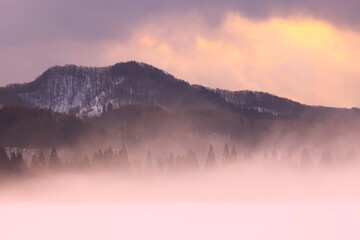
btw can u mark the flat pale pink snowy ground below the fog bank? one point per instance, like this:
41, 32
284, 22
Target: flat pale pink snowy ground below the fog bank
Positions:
180, 221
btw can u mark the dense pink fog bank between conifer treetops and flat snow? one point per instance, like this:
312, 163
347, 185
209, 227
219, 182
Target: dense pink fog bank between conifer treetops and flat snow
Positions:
236, 182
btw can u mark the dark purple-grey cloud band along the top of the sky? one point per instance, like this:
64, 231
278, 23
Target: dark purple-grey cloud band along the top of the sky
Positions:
23, 21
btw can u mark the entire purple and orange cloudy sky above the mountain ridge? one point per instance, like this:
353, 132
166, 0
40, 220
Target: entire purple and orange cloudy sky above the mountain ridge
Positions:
305, 50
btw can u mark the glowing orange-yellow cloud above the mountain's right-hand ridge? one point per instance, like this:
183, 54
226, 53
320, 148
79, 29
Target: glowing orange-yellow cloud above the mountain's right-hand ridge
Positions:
304, 59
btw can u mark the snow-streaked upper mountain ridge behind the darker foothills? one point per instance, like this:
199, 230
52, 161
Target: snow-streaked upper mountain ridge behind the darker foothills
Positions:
91, 91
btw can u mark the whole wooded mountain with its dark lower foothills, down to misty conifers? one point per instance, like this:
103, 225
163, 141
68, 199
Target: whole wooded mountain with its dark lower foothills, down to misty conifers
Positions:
134, 101
